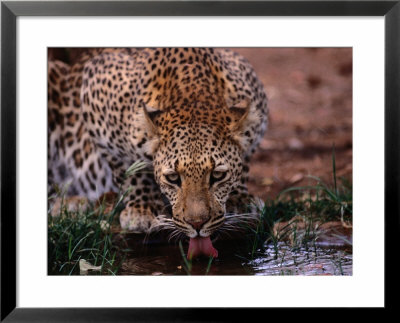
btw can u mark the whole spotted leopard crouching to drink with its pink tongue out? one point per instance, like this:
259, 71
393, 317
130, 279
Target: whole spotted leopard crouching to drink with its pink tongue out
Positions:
194, 116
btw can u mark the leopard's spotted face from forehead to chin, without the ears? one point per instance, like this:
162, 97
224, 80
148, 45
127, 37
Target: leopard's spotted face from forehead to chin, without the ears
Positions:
197, 167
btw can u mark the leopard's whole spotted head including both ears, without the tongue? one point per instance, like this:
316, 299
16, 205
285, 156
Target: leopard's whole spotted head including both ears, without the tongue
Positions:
197, 158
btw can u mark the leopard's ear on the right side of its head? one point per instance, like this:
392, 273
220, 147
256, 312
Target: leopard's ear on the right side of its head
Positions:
240, 113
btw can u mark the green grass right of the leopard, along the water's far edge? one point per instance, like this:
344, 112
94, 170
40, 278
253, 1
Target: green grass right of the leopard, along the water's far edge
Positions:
314, 204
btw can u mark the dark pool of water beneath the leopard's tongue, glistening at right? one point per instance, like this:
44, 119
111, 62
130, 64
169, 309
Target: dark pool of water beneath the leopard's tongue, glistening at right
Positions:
333, 257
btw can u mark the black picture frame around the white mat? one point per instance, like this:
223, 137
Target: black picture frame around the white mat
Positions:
10, 10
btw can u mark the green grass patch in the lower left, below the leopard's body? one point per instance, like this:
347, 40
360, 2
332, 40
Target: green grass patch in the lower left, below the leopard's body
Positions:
73, 236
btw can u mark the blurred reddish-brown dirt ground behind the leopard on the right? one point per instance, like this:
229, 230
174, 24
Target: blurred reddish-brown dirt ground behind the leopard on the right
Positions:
310, 103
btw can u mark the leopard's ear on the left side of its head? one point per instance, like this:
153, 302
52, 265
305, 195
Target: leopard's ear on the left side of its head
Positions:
153, 135
